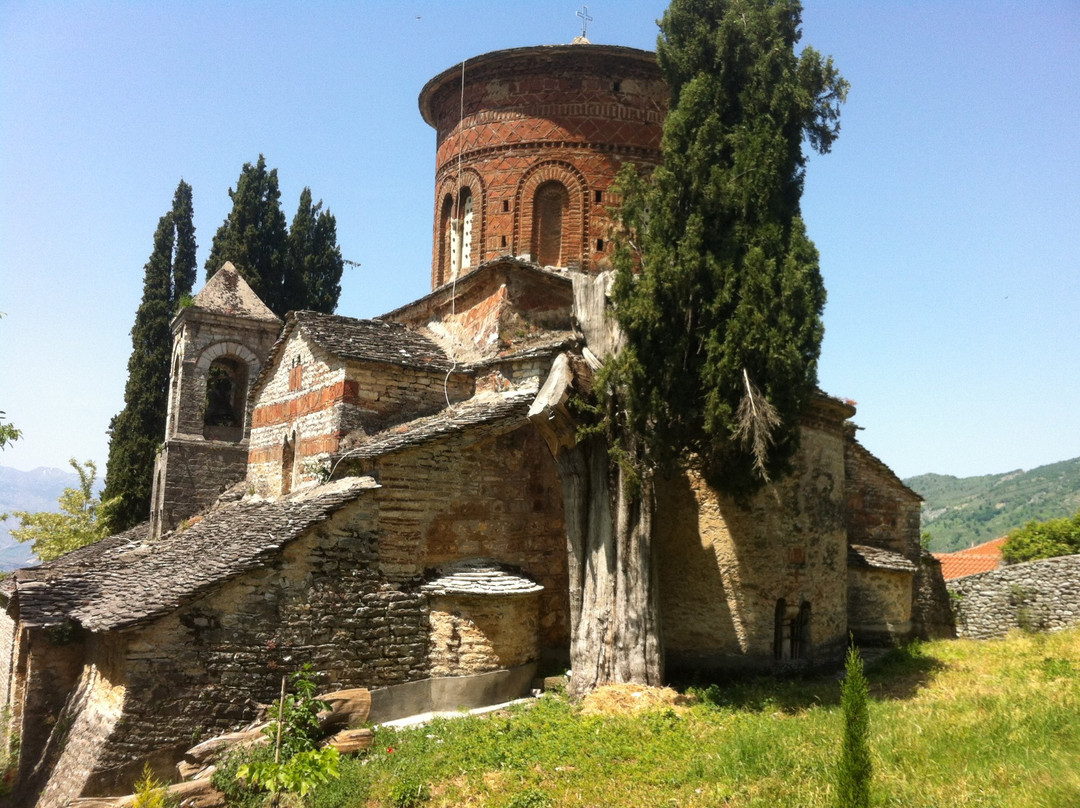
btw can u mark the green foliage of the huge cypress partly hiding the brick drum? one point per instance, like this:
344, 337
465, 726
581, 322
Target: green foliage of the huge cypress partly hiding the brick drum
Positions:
719, 290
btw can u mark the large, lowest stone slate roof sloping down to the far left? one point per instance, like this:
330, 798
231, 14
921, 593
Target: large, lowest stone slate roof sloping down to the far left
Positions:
127, 580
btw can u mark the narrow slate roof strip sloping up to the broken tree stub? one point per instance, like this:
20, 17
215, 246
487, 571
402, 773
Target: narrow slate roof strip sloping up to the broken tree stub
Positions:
480, 411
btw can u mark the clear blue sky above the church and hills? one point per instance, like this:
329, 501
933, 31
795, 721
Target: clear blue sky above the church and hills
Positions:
946, 217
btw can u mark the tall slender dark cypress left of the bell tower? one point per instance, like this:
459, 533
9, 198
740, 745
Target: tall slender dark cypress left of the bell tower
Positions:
139, 429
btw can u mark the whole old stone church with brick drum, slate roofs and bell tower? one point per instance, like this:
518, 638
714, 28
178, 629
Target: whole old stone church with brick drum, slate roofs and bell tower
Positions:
372, 496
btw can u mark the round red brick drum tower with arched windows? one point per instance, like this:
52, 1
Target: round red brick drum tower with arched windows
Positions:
530, 142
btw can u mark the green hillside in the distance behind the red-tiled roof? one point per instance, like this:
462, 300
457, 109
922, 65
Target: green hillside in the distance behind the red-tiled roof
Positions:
960, 513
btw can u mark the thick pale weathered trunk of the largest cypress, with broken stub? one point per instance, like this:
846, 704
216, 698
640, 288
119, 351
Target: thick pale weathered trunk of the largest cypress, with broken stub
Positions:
615, 613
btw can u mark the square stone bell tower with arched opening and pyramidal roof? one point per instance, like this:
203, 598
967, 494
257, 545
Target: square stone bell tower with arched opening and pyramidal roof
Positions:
220, 346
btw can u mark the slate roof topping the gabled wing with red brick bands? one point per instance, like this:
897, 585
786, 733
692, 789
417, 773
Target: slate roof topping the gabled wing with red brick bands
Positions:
374, 341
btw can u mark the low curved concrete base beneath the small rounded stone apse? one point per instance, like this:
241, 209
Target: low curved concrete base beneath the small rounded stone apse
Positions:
451, 694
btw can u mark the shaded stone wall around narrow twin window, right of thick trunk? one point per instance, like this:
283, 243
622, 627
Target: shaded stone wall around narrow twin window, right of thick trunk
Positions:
724, 567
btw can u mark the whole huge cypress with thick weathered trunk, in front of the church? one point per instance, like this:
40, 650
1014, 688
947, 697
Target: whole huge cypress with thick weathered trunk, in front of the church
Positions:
719, 299
